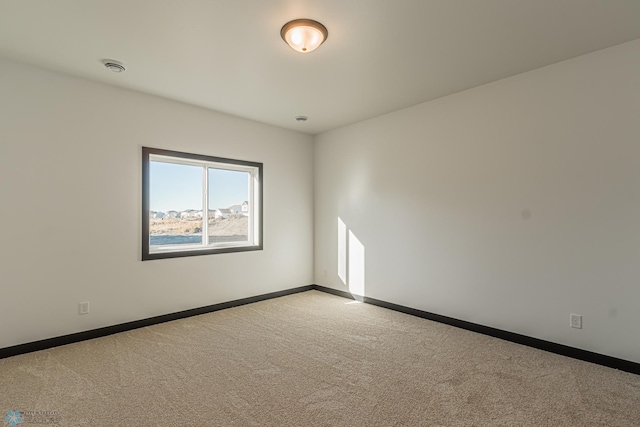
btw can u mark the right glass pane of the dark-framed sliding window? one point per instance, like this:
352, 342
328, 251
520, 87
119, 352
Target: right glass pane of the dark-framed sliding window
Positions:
229, 206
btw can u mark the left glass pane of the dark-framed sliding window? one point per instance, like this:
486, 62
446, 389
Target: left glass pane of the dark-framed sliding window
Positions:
175, 216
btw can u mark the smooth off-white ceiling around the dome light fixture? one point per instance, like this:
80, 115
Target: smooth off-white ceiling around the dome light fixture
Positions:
380, 56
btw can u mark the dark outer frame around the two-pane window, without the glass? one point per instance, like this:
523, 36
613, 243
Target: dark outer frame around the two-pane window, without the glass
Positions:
146, 205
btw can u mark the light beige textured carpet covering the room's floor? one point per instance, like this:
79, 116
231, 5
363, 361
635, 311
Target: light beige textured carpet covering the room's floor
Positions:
313, 359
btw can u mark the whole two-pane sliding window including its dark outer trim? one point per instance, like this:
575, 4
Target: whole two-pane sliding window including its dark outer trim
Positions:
199, 205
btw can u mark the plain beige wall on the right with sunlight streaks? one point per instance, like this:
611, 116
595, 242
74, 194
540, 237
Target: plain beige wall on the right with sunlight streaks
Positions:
509, 205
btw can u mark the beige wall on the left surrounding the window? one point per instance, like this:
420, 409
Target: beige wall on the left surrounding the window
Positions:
70, 190
